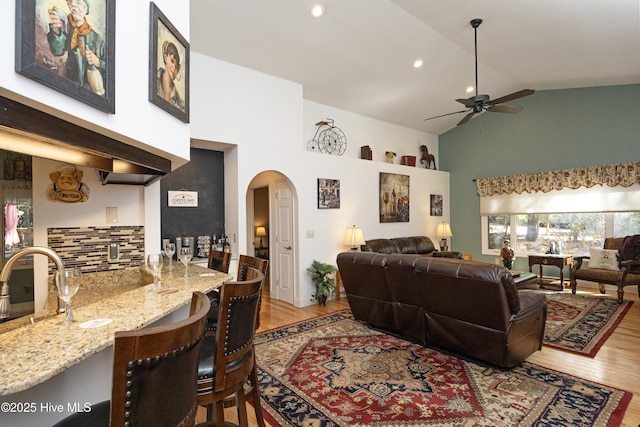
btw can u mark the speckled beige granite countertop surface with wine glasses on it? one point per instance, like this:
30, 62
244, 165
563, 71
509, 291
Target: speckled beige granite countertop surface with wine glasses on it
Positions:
32, 353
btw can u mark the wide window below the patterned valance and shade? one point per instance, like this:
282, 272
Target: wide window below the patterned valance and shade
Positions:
571, 233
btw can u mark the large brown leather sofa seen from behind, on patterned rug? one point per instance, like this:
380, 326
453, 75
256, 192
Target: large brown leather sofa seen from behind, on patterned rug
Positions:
465, 307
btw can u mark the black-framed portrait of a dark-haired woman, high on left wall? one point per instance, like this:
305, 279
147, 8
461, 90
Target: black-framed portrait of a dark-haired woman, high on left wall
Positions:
168, 66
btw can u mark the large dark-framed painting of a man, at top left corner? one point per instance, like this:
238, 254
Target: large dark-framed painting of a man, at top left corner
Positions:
70, 47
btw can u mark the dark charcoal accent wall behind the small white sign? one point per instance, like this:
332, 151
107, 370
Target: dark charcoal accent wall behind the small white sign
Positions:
204, 174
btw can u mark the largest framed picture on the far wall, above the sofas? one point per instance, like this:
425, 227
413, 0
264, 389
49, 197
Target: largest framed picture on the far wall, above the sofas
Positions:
394, 197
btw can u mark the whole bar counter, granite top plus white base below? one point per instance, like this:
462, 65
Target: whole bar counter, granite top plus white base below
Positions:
66, 365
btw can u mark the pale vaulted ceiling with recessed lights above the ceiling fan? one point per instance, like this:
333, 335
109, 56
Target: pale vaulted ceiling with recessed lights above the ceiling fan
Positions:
359, 56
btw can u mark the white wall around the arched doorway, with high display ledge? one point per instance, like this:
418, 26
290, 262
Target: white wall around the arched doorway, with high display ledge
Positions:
269, 123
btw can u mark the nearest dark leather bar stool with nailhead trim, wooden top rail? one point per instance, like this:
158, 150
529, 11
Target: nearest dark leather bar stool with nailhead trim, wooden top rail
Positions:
155, 375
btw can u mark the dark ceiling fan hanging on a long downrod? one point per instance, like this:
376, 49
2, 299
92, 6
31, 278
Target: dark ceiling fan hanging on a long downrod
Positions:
479, 103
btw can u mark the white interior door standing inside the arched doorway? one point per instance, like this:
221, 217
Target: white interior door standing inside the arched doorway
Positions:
285, 253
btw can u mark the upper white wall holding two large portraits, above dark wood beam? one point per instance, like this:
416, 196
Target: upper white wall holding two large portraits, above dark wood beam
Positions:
136, 119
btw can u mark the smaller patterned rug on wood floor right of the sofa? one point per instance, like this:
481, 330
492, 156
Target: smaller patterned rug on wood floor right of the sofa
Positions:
581, 323
